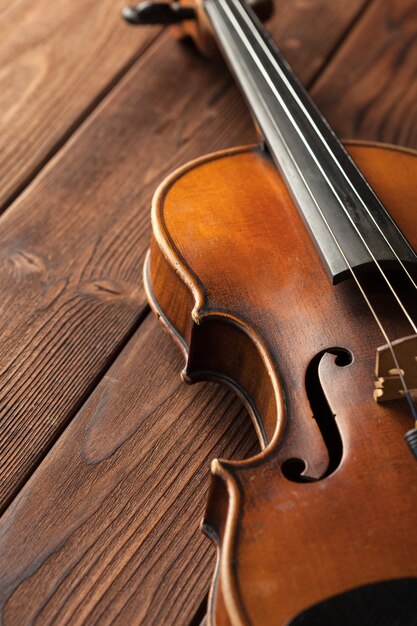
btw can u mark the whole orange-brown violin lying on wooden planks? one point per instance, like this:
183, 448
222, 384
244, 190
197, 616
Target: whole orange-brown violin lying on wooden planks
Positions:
287, 270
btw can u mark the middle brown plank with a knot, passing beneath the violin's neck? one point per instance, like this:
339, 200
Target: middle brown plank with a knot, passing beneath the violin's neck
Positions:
72, 246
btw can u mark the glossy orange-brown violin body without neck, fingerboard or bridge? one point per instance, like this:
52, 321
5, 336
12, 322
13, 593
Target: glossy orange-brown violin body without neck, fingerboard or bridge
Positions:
329, 504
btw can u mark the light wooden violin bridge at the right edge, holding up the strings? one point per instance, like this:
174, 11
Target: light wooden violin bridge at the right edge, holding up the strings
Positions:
388, 384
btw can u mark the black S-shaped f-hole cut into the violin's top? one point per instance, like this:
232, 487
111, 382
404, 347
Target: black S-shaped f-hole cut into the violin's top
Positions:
293, 468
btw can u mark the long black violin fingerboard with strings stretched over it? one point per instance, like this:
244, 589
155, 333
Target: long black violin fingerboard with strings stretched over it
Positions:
335, 201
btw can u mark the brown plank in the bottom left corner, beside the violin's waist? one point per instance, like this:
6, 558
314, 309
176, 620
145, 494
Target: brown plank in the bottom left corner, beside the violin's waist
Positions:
107, 531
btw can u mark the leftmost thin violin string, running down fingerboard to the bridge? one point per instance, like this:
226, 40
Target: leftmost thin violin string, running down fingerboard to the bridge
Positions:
388, 341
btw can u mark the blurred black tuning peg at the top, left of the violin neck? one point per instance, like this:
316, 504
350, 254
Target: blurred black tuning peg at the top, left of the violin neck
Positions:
146, 13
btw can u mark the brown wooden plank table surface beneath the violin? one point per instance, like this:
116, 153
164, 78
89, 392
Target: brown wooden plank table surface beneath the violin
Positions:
104, 452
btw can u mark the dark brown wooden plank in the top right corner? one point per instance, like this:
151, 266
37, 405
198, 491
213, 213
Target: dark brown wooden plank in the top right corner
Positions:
370, 88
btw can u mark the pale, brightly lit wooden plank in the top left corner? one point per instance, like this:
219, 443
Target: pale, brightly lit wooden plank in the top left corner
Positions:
57, 60
